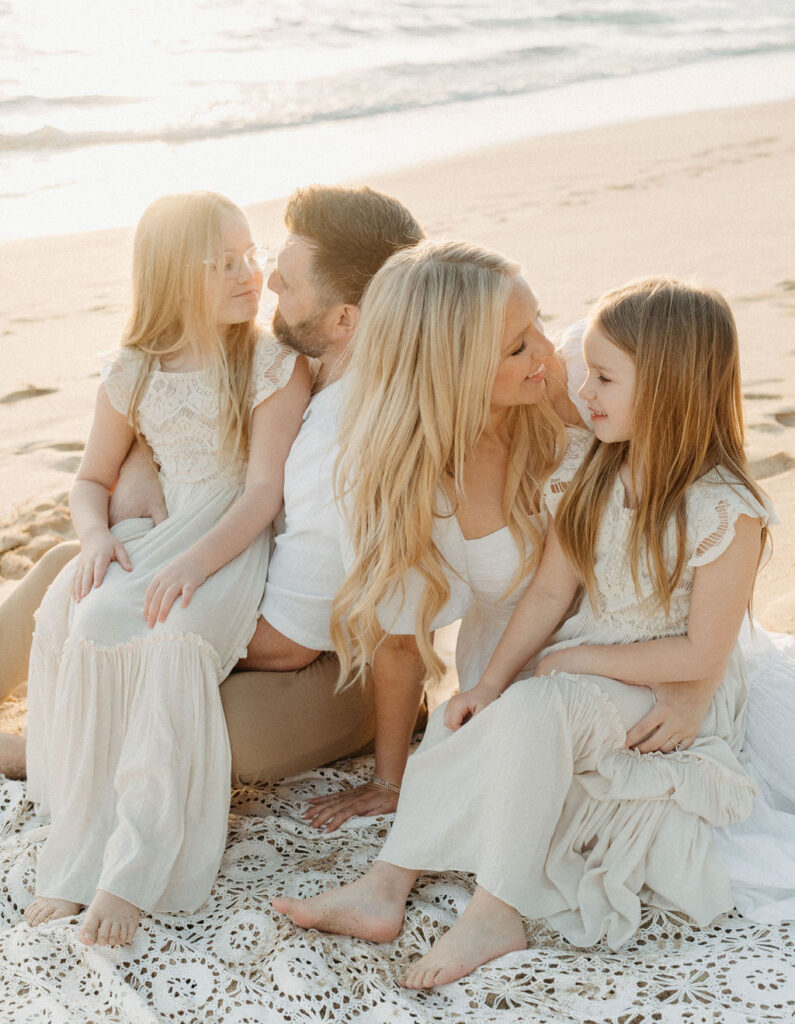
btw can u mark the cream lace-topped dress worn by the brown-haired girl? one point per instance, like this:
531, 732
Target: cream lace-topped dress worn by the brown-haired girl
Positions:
536, 797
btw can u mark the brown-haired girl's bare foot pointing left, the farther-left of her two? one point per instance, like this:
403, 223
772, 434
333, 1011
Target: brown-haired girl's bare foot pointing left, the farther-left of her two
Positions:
372, 908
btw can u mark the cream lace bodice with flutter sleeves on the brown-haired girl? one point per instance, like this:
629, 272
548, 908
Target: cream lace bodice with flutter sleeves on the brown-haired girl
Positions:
714, 503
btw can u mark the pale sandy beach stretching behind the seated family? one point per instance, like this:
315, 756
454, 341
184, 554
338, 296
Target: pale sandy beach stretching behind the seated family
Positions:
697, 195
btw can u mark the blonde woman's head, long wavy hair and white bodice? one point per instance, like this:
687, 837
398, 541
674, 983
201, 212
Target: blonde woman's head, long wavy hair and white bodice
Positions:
444, 453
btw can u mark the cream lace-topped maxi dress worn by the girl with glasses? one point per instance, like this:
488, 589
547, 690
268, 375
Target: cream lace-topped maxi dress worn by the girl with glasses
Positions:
128, 745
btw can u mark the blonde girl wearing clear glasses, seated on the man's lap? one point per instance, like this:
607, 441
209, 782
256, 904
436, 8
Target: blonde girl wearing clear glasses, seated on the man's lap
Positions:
128, 747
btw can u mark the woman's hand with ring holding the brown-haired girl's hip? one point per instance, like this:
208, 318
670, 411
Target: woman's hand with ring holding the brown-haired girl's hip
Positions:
677, 718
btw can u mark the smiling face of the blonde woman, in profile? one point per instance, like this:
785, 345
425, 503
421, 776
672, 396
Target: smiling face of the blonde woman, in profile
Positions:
525, 349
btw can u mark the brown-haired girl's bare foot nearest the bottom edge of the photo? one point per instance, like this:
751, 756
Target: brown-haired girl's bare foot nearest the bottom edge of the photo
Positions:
487, 929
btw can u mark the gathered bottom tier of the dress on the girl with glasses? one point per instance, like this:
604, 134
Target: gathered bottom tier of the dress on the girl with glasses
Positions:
130, 755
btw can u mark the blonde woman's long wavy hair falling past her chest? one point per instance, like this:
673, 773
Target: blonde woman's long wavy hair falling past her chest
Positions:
426, 355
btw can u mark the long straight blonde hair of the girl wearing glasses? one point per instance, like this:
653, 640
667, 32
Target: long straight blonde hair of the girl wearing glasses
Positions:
178, 241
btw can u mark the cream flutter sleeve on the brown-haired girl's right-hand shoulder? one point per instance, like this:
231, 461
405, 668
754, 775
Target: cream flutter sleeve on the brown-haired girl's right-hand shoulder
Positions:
715, 505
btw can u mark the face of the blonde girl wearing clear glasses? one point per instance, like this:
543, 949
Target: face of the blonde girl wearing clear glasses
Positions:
237, 297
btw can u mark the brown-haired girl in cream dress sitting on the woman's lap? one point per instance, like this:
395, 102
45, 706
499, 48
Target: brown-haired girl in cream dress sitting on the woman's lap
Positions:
660, 531
